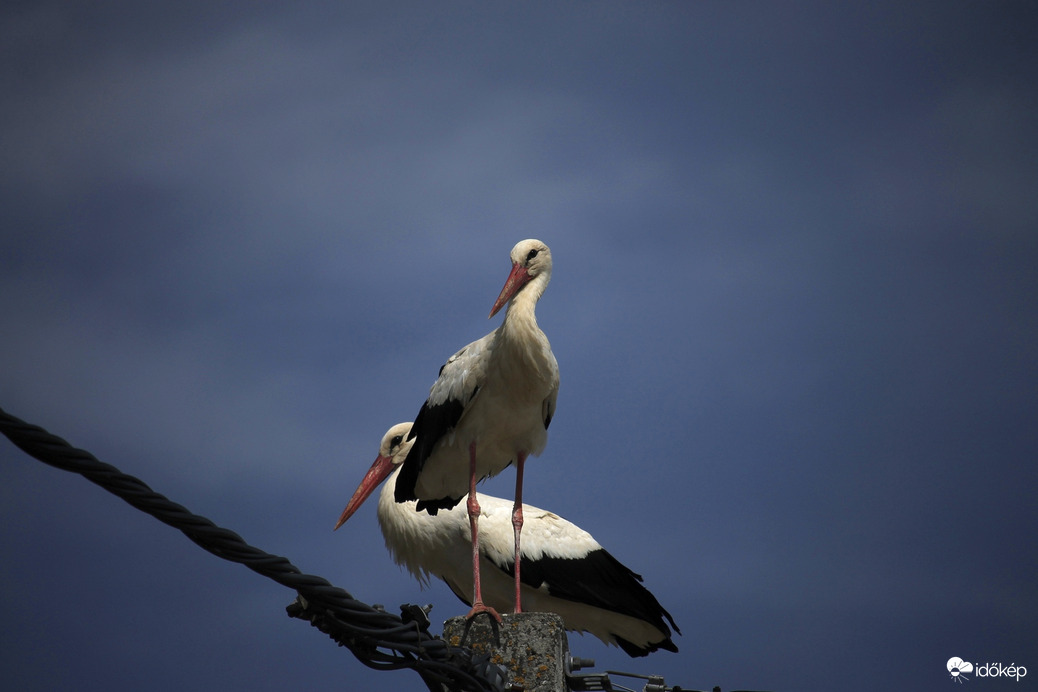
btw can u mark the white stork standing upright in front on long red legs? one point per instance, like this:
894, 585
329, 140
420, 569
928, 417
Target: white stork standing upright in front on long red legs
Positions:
489, 408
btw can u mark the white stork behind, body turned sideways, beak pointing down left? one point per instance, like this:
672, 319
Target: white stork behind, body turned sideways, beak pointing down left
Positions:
565, 571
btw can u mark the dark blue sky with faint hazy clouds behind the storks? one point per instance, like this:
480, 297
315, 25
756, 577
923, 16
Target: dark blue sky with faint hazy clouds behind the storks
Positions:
794, 305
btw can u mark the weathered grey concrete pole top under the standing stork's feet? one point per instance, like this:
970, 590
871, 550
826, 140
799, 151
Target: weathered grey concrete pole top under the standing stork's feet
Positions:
531, 647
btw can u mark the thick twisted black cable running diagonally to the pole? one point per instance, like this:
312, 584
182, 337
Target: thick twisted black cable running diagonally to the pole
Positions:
379, 640
